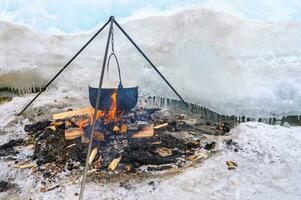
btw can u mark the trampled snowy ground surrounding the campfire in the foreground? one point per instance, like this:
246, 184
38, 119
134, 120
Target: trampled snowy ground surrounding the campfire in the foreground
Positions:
268, 158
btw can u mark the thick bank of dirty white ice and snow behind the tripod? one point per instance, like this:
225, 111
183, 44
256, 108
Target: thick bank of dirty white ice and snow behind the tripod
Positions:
231, 65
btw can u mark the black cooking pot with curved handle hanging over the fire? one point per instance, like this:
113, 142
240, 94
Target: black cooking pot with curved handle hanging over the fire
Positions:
126, 97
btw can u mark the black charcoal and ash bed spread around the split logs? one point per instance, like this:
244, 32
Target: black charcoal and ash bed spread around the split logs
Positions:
136, 153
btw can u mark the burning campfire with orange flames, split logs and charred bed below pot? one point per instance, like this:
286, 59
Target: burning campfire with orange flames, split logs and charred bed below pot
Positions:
144, 140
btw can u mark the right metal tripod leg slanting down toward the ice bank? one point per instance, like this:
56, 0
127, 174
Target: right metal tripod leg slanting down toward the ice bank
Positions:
150, 62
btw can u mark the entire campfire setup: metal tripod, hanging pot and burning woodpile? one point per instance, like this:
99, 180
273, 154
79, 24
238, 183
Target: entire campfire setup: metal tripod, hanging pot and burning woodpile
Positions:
115, 136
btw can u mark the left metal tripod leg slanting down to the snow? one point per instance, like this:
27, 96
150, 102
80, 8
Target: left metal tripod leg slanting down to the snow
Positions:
66, 65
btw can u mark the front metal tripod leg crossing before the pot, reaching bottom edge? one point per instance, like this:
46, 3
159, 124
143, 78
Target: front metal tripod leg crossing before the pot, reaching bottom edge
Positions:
82, 189
